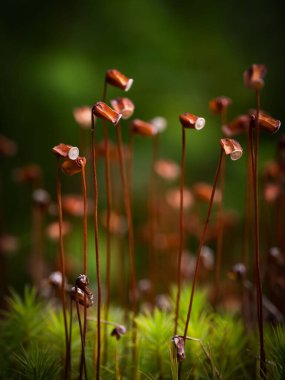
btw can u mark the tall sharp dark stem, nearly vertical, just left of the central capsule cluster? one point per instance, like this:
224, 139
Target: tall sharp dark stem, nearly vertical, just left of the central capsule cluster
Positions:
95, 187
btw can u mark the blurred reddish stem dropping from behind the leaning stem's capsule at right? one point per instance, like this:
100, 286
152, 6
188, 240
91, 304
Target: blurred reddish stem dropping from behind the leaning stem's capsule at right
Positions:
220, 235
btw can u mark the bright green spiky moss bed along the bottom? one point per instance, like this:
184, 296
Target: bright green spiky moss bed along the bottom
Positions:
32, 343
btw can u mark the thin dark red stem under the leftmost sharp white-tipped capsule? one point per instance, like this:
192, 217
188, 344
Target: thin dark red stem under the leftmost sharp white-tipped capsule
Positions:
62, 265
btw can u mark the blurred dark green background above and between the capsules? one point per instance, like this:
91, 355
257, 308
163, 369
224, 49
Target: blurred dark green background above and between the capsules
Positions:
54, 56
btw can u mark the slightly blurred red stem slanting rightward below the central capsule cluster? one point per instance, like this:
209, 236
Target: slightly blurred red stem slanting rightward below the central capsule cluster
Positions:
131, 236
